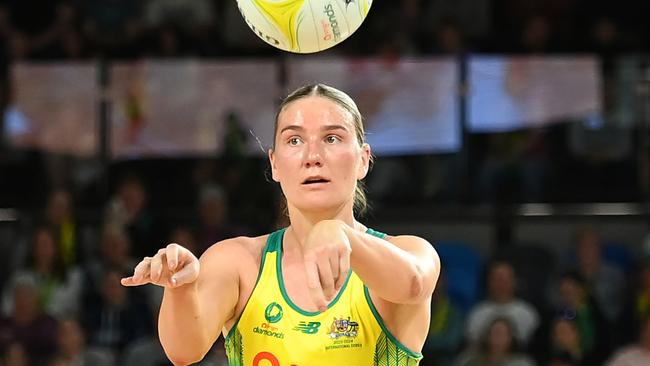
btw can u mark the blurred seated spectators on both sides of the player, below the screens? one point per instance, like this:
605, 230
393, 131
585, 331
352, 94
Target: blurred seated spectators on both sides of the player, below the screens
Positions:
62, 302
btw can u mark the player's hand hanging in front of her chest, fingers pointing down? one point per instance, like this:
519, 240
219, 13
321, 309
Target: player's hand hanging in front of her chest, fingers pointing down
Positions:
327, 252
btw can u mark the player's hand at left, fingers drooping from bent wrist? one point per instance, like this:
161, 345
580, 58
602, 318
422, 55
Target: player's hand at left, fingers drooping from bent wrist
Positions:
173, 266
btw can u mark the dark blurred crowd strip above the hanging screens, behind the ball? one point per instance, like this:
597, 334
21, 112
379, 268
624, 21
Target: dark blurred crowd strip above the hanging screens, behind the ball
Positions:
123, 29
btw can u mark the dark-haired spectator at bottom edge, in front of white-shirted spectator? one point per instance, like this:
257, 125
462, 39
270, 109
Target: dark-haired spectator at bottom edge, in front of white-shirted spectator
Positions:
497, 347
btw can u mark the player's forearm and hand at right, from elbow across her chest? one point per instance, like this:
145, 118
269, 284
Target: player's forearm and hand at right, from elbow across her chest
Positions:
401, 270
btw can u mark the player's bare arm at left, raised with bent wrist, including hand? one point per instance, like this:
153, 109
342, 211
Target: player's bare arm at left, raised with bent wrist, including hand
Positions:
200, 296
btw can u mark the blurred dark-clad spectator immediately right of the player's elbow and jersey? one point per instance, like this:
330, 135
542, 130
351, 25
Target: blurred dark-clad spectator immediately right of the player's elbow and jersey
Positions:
446, 328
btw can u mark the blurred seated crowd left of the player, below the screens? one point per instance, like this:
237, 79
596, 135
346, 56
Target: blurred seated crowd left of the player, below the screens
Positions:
62, 302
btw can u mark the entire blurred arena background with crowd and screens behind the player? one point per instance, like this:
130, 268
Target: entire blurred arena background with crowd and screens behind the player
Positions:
514, 135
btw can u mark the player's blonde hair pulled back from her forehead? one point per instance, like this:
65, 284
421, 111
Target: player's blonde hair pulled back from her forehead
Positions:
361, 204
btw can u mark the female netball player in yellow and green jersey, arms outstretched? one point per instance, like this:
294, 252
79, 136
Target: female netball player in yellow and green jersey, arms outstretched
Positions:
326, 290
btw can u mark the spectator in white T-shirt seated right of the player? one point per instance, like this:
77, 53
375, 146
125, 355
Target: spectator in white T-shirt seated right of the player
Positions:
502, 303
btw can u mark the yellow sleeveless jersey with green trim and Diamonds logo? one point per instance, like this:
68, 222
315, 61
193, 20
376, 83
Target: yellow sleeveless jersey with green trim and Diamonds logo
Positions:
273, 331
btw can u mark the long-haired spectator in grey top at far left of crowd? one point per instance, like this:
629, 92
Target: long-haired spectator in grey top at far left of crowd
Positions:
59, 290
